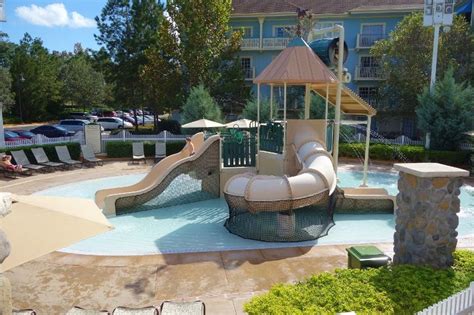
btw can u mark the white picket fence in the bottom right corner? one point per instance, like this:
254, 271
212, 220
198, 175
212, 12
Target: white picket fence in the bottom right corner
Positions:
461, 303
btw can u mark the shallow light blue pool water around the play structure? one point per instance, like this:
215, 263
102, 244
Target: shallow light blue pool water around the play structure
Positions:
199, 226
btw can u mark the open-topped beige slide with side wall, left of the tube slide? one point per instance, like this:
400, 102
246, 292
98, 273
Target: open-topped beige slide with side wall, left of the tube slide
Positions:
157, 179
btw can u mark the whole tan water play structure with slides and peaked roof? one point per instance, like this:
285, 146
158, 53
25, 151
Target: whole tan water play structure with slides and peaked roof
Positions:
279, 178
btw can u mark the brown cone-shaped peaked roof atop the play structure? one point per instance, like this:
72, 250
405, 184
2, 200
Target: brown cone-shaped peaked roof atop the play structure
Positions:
296, 64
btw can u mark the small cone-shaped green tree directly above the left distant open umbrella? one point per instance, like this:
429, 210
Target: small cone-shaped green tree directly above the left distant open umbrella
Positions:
200, 104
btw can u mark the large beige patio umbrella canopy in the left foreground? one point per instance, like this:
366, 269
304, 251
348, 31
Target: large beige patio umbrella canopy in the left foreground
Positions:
38, 225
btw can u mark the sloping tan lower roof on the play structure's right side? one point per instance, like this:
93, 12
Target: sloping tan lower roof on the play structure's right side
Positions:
351, 103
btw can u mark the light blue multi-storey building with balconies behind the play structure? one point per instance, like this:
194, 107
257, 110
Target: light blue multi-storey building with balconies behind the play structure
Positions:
265, 25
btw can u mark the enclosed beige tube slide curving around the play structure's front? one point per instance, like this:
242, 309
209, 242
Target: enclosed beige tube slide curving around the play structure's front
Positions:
315, 180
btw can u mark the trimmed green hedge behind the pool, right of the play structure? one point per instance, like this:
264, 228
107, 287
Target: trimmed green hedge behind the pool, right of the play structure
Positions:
411, 153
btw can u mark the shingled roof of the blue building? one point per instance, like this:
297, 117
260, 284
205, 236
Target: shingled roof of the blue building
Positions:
320, 6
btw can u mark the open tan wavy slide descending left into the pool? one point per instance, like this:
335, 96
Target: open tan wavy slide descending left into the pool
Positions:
106, 198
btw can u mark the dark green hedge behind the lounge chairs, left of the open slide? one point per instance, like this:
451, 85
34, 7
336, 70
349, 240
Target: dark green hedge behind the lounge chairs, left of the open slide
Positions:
123, 149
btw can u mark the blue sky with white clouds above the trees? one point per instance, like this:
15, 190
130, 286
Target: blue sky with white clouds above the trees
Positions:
59, 23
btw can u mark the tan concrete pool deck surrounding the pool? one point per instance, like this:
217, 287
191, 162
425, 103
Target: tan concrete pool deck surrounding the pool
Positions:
223, 280
